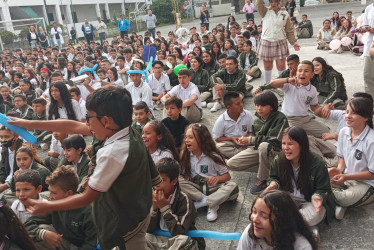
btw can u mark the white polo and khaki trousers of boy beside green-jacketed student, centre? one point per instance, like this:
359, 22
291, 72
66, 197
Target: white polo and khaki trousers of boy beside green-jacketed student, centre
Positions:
227, 127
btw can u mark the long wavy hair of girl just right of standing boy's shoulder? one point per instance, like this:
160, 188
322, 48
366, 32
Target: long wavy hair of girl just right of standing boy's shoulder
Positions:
167, 141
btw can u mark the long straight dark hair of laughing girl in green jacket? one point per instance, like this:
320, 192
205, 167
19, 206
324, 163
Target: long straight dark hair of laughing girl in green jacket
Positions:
287, 177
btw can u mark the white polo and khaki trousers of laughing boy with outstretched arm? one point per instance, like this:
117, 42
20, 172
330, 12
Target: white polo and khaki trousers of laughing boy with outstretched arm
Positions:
297, 101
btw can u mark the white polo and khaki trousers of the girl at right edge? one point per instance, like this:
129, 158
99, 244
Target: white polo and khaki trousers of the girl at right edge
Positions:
358, 157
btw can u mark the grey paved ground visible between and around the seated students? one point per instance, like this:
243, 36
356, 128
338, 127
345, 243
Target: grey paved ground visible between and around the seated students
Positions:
356, 230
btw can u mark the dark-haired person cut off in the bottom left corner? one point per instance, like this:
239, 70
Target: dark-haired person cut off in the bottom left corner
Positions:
13, 234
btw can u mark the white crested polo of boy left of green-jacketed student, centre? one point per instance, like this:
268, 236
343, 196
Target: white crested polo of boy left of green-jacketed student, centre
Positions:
227, 127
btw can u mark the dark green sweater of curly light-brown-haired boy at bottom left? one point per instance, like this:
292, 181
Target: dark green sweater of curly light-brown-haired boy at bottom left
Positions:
76, 226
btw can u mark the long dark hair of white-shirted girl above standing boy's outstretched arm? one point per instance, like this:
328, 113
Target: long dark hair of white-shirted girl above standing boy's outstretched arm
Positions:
66, 99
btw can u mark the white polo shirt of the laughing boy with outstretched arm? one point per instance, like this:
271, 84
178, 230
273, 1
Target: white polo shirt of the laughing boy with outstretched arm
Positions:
297, 100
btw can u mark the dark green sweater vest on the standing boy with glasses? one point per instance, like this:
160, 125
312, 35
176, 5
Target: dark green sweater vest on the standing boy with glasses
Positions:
129, 199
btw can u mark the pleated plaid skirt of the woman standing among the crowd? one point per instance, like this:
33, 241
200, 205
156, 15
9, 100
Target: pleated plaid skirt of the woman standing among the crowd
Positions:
269, 51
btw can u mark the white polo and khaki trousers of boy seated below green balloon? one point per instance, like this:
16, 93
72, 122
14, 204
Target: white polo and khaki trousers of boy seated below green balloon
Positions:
194, 112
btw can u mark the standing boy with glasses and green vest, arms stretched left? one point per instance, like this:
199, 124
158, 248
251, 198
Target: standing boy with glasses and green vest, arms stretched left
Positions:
123, 152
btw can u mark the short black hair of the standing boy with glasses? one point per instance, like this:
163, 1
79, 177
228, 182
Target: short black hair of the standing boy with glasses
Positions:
105, 102
